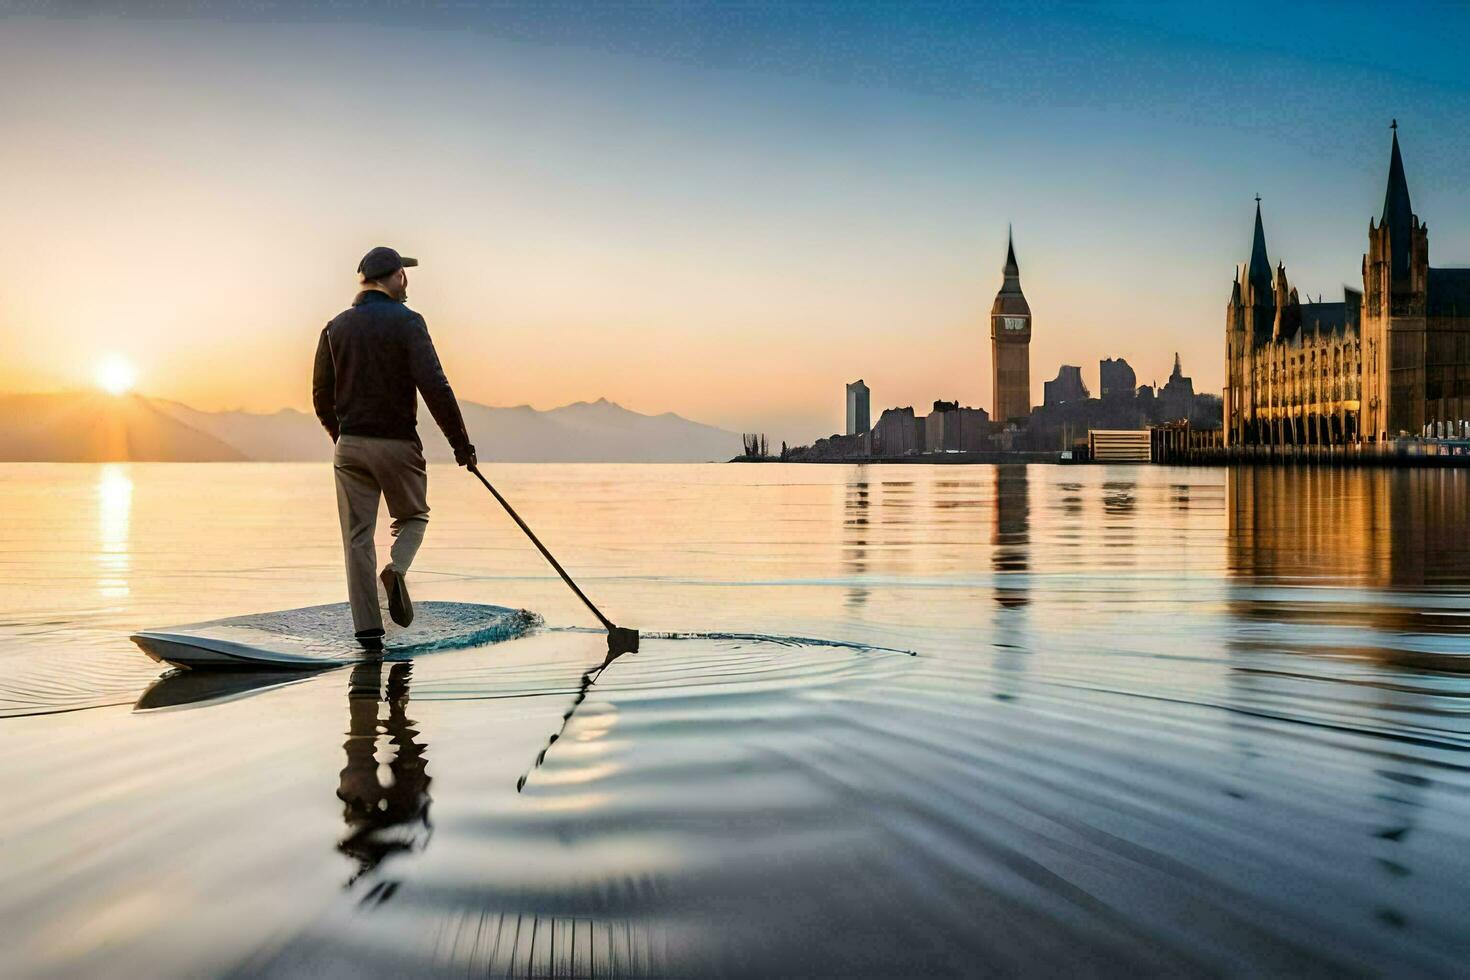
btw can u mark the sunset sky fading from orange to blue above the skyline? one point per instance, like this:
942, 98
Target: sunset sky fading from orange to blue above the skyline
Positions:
721, 211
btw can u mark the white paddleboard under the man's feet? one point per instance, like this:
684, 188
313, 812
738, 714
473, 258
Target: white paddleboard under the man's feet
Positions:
323, 637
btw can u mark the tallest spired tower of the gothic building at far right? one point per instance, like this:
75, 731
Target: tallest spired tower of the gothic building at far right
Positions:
1396, 286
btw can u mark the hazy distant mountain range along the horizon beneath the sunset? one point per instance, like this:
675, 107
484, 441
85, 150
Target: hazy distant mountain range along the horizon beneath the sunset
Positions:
86, 427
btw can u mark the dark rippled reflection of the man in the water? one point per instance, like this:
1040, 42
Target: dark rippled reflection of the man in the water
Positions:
383, 819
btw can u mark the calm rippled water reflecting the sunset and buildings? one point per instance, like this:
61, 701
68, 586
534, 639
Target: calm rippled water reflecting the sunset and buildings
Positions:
1156, 721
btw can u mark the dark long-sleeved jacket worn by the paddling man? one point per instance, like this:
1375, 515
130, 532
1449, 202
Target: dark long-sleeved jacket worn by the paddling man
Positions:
370, 362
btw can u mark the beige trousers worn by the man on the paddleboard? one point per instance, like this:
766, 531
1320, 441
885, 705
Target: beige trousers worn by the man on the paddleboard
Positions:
367, 469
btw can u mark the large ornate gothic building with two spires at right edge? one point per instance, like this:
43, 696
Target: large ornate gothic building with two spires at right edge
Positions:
1380, 365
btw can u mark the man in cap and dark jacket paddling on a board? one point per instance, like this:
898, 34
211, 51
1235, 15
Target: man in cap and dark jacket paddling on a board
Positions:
371, 362
